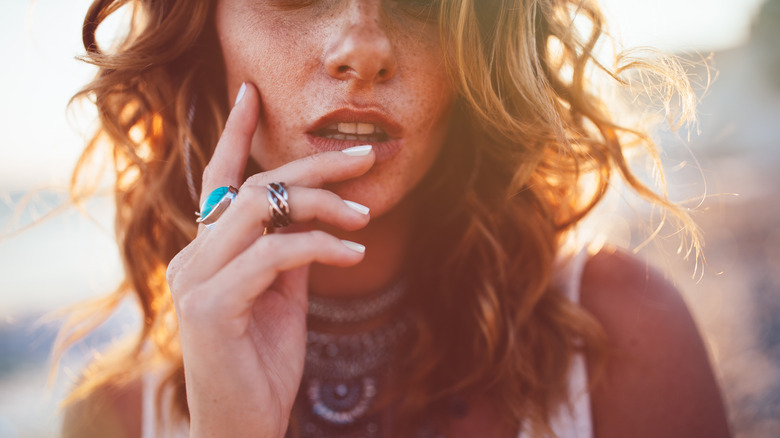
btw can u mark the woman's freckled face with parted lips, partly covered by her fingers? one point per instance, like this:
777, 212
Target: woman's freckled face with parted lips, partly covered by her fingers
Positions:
333, 74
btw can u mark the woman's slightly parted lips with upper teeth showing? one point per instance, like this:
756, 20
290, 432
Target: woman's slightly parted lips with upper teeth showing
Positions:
345, 128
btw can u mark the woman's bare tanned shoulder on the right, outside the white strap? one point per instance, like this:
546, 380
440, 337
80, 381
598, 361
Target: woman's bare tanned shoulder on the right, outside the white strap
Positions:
658, 379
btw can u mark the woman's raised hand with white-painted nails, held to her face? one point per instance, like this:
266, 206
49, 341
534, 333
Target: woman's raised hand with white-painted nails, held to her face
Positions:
241, 296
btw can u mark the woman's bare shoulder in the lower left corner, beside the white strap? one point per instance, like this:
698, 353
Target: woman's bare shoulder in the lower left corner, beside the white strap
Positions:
106, 412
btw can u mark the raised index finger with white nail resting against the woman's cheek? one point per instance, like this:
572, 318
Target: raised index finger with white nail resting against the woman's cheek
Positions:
228, 162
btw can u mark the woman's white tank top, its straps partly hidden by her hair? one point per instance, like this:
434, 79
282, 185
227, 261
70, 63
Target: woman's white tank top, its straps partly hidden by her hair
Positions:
573, 419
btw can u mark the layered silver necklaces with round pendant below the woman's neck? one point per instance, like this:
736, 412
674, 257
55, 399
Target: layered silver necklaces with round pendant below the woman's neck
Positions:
344, 373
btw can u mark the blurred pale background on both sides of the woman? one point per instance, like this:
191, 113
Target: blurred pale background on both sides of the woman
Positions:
727, 166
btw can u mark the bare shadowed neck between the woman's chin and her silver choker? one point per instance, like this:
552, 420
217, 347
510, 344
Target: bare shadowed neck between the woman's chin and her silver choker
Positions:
387, 239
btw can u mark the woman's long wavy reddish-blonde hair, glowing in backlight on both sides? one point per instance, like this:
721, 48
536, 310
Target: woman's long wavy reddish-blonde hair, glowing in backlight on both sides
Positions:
532, 128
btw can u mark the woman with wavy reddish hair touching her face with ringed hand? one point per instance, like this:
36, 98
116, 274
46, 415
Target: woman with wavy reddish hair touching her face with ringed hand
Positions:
450, 139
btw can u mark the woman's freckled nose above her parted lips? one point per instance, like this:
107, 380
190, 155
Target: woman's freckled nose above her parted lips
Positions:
360, 48
